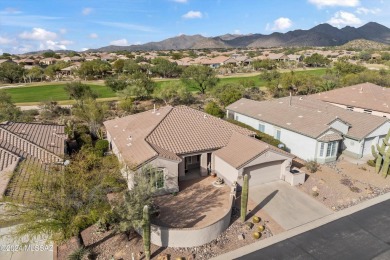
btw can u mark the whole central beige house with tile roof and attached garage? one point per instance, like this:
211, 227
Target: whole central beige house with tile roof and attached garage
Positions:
183, 142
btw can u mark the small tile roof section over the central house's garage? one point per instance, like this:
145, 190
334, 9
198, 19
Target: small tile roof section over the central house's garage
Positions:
242, 149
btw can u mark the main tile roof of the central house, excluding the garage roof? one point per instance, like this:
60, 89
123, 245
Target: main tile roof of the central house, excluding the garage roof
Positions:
169, 132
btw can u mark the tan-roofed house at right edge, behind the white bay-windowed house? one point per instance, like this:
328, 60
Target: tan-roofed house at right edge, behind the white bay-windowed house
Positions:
365, 98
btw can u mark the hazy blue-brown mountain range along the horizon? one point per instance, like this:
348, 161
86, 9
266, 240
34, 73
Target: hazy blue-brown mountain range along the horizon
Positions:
320, 35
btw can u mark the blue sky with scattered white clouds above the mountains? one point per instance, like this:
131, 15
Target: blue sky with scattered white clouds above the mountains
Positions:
27, 25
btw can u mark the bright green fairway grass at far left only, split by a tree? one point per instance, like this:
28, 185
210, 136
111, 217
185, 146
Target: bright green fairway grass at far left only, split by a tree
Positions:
50, 92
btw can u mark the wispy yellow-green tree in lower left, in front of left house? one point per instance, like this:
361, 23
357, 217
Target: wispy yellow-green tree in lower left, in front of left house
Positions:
65, 203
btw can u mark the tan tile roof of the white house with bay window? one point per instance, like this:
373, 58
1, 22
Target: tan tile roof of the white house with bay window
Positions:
307, 116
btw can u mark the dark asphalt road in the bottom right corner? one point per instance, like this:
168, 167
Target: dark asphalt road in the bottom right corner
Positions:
361, 235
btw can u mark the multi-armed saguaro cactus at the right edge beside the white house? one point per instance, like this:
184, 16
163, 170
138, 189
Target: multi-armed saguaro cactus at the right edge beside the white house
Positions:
382, 157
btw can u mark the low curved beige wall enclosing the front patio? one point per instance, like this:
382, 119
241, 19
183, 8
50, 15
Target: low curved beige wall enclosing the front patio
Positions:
189, 237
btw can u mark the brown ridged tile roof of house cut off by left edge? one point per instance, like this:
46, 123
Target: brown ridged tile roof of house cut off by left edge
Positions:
30, 143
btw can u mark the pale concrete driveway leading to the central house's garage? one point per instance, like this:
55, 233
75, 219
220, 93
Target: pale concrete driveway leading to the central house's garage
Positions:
287, 205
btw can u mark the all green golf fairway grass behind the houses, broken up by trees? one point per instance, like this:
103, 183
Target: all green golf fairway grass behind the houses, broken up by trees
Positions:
37, 93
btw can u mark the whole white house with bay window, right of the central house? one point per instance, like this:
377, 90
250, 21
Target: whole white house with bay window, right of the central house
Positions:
312, 130
